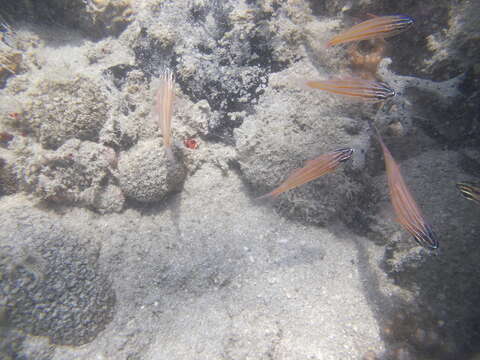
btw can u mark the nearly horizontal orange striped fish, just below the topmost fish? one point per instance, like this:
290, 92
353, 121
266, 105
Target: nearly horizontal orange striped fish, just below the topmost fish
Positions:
369, 90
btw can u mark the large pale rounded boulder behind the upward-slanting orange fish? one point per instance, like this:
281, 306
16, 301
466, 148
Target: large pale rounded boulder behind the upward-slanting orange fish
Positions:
292, 125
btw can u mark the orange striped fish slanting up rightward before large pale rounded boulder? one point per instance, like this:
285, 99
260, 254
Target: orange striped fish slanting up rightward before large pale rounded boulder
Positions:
313, 169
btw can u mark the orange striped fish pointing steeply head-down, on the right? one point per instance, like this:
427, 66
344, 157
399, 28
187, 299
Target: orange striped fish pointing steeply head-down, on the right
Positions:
407, 211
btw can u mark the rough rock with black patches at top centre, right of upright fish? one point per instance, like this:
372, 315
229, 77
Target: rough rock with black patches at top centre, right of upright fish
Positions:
227, 57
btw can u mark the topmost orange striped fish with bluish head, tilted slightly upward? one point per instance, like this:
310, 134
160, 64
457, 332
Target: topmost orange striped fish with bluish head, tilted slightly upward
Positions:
378, 27
